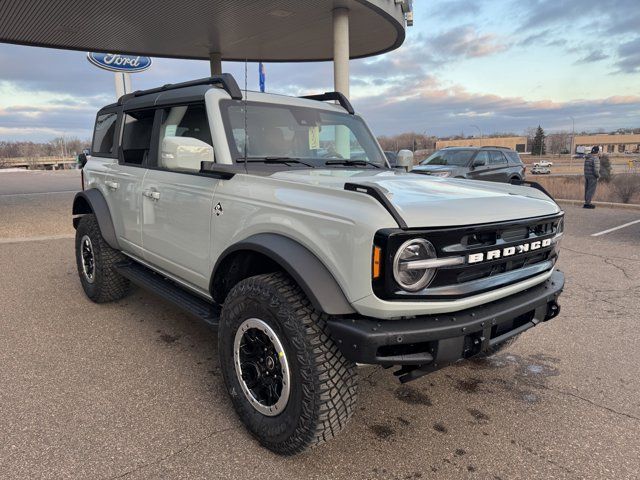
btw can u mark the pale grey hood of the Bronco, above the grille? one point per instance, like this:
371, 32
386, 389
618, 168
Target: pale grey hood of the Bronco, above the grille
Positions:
426, 201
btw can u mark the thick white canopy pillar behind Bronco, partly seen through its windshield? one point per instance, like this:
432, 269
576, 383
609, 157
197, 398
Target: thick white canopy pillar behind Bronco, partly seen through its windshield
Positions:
341, 72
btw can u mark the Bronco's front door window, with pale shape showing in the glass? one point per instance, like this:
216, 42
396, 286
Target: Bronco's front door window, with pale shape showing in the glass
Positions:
186, 128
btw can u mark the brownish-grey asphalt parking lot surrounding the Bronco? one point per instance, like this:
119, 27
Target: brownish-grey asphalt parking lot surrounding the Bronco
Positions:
133, 389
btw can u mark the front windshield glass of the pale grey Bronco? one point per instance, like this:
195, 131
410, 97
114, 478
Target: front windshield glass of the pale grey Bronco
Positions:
314, 137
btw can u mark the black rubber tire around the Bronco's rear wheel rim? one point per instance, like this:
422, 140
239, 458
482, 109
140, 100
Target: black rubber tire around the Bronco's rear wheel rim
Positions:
108, 284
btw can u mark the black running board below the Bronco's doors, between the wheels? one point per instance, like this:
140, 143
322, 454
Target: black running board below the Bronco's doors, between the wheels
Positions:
170, 291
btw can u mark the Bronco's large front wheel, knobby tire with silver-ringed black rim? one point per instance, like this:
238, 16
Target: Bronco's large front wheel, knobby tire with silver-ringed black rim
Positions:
288, 381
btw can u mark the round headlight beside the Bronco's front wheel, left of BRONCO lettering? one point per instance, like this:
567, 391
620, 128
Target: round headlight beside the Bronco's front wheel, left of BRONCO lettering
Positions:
408, 274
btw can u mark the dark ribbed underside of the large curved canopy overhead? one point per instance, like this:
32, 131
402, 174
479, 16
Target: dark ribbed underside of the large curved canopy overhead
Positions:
269, 30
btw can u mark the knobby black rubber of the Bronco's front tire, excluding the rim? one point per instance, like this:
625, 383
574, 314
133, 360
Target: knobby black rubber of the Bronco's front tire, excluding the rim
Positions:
323, 382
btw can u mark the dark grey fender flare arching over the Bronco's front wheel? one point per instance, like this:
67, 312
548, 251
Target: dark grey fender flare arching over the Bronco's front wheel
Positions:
302, 265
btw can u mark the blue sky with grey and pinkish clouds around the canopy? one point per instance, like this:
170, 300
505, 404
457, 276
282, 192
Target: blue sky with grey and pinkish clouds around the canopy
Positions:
466, 67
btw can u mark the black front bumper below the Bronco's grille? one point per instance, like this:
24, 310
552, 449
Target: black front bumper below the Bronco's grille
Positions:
426, 343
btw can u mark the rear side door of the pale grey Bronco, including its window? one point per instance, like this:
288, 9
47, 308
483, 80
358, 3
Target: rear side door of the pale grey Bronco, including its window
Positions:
124, 182
